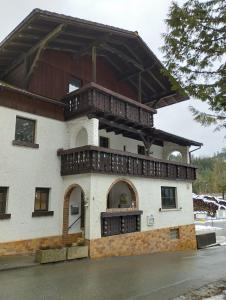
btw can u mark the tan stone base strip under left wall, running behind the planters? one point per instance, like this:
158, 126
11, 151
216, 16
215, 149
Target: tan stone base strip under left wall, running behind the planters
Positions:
31, 245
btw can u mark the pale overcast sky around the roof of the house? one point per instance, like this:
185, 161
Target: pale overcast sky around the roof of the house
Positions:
145, 16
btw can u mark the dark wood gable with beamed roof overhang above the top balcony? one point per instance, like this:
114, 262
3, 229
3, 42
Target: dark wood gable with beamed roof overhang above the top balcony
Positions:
123, 62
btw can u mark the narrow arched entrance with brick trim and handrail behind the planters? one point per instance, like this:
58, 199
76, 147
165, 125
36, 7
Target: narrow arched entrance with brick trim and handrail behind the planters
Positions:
73, 211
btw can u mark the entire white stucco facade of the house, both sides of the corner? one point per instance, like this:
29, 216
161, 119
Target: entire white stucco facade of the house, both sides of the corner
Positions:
22, 169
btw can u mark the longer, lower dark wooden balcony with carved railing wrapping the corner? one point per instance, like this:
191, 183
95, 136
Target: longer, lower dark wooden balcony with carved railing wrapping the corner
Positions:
91, 159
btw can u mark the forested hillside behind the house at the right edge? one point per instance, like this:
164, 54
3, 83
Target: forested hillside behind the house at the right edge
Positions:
211, 175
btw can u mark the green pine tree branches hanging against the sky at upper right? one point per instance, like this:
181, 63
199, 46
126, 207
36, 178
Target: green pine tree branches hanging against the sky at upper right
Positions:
194, 51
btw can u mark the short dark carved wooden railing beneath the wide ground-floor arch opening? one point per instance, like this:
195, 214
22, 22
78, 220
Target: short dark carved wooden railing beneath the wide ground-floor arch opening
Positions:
113, 223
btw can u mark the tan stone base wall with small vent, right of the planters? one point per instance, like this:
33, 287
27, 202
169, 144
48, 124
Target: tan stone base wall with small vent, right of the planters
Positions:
145, 242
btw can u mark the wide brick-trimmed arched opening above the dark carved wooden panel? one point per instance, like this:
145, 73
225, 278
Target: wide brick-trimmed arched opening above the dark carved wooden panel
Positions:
121, 195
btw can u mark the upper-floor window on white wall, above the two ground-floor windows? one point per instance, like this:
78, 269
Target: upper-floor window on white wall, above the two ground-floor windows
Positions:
25, 130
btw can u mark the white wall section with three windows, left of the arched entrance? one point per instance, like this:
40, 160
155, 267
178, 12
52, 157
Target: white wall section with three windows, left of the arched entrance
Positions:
23, 169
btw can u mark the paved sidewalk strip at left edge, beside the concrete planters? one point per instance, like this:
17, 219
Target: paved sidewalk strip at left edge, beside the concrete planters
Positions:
17, 262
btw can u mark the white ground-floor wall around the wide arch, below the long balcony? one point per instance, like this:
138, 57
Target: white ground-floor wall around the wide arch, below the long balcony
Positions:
149, 201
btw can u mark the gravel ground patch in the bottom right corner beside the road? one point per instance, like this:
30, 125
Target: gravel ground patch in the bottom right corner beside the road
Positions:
212, 291
